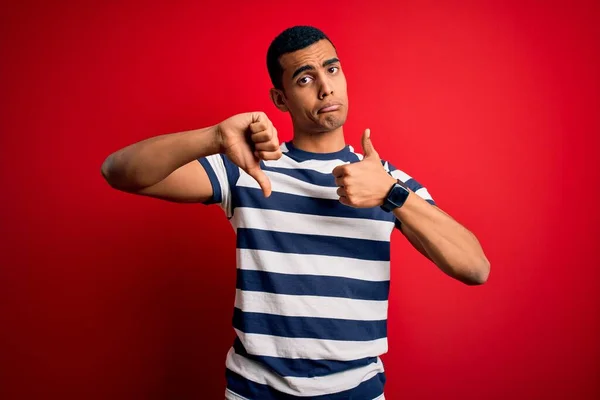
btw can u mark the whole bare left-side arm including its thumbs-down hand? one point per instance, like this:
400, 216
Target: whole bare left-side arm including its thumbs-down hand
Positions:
166, 166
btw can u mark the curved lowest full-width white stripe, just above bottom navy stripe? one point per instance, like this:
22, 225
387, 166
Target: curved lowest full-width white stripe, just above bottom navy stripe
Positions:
300, 386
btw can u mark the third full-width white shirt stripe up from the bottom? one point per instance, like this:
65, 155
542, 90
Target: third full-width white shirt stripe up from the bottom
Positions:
311, 306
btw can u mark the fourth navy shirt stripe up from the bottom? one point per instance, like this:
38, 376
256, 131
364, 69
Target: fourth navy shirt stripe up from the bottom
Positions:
312, 285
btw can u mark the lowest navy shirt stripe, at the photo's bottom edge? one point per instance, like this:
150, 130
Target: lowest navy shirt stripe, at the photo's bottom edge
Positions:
369, 389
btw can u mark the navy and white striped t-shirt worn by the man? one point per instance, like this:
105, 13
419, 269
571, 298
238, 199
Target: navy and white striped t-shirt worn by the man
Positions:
313, 279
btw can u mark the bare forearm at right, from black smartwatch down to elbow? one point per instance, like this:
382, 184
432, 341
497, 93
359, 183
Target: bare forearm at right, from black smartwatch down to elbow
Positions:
448, 244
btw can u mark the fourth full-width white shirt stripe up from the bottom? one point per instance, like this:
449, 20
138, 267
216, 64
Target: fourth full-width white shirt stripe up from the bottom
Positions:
311, 264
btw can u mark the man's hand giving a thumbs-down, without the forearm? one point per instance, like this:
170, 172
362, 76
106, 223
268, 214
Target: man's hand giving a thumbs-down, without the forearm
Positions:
246, 139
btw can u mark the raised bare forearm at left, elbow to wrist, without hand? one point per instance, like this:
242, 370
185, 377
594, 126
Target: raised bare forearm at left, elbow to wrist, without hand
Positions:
149, 161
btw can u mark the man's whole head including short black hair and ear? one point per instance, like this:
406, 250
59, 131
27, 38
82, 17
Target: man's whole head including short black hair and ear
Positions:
307, 76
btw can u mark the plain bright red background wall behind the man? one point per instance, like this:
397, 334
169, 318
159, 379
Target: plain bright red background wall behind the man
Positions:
493, 106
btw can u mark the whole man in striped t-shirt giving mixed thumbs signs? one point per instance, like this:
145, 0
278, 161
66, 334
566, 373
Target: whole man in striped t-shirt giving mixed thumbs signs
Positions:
313, 221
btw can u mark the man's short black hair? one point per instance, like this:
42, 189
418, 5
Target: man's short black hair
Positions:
290, 40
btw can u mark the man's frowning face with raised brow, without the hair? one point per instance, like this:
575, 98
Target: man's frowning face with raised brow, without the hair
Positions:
315, 88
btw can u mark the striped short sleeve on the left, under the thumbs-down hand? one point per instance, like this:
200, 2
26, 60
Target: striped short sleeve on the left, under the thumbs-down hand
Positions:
223, 176
